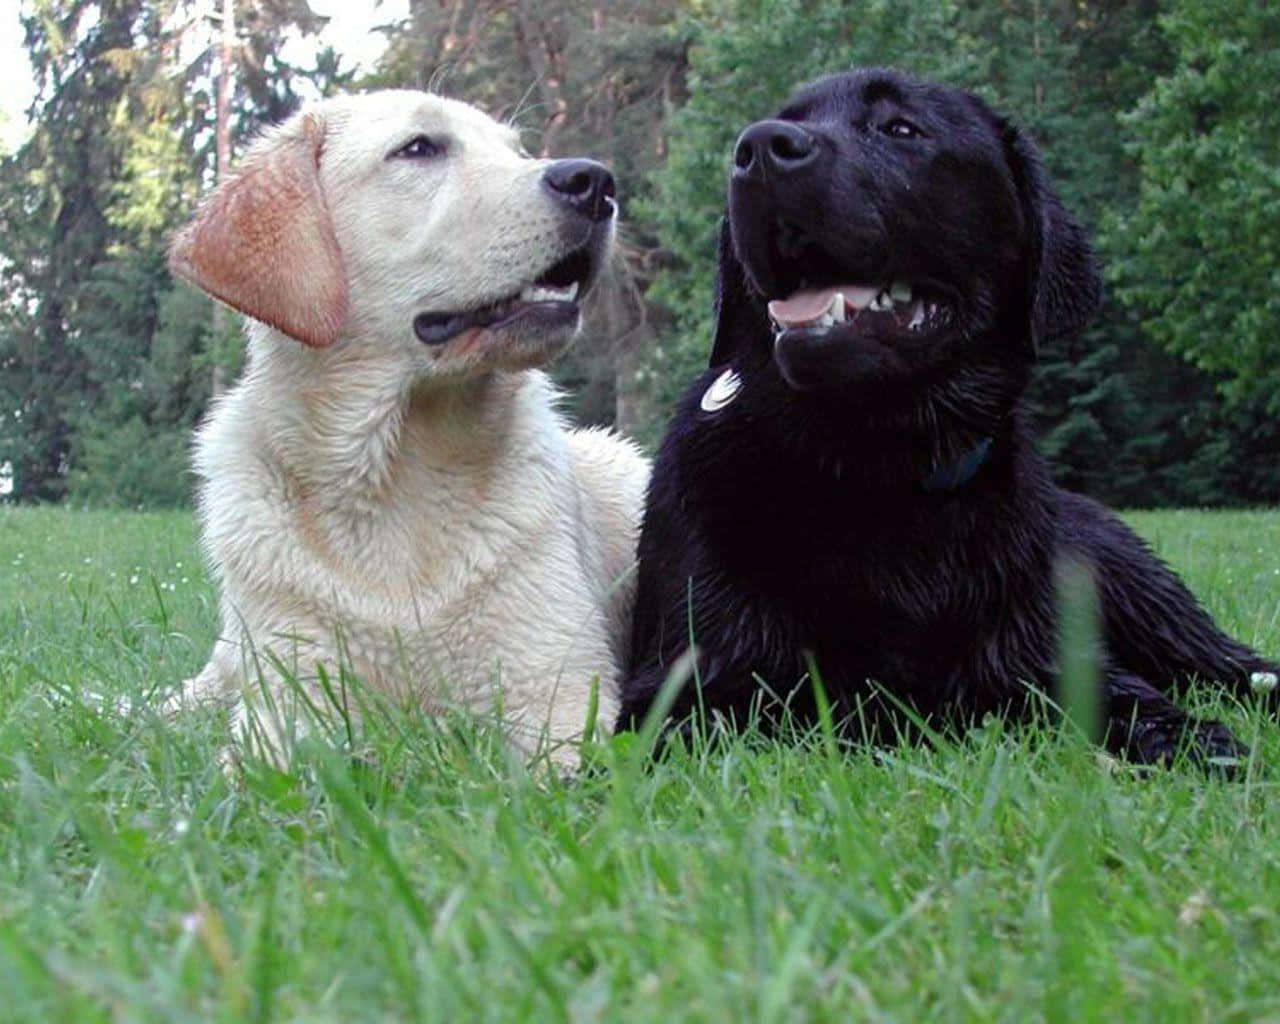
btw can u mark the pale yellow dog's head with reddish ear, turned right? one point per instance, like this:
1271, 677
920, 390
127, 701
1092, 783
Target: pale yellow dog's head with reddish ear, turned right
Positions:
408, 221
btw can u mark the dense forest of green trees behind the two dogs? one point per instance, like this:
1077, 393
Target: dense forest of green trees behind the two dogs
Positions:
1160, 121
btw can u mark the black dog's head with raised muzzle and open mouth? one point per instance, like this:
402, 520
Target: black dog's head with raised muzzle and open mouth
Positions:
883, 232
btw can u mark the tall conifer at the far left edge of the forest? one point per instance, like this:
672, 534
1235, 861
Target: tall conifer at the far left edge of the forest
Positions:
53, 205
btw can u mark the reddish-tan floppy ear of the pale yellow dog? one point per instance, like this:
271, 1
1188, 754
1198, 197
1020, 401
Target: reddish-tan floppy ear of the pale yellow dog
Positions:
264, 243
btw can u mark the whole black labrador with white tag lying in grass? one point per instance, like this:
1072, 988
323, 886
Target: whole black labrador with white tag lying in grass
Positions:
854, 479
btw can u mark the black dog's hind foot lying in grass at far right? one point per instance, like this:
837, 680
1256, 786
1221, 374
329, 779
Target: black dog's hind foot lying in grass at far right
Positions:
1148, 728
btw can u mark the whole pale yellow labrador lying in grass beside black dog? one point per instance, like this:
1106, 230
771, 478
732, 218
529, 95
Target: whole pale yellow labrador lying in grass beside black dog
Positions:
390, 487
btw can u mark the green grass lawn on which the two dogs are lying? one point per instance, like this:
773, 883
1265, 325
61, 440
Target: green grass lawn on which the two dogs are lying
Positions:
1012, 876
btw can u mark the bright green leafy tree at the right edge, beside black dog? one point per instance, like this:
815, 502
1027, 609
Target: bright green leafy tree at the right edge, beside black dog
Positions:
1200, 255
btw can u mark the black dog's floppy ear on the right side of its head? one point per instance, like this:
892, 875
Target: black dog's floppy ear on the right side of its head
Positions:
1064, 282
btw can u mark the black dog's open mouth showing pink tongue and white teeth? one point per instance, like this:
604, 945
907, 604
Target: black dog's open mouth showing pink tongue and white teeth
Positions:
895, 307
